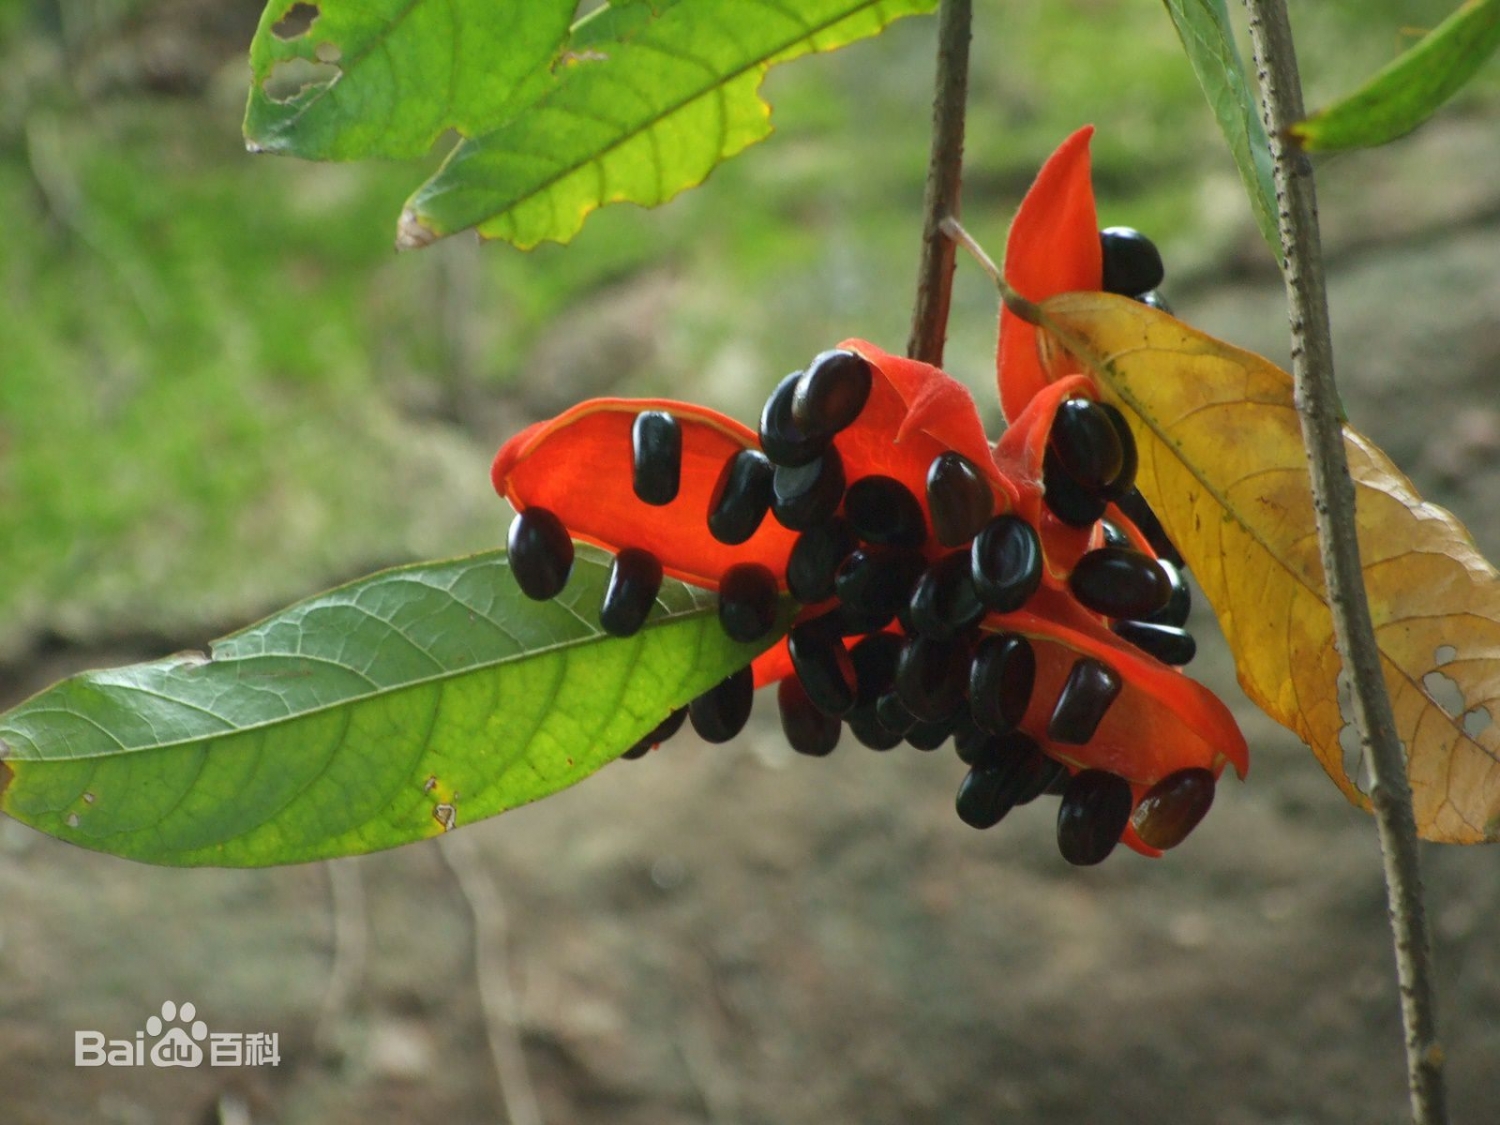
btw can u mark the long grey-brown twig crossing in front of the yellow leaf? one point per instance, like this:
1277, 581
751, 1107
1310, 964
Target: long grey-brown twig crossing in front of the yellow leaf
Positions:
1334, 506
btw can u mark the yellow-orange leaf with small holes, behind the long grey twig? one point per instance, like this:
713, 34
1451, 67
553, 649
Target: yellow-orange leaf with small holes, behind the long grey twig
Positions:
1222, 463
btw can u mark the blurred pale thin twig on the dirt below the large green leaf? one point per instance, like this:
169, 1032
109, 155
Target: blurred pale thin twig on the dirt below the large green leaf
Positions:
493, 973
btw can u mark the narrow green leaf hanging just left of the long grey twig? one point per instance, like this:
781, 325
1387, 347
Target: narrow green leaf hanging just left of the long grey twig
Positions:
1210, 41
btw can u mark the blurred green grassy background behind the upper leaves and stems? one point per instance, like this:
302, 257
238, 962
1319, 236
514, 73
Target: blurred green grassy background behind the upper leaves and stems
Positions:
223, 388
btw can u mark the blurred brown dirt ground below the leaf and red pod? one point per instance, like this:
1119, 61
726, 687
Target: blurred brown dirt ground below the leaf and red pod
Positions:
734, 935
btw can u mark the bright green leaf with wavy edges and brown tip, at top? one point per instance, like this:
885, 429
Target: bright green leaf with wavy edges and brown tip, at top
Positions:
634, 121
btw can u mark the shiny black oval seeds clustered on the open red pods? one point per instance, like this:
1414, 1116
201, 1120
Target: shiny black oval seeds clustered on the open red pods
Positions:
895, 652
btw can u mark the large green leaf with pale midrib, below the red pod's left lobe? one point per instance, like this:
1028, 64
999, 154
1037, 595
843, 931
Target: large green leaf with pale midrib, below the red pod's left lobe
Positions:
371, 716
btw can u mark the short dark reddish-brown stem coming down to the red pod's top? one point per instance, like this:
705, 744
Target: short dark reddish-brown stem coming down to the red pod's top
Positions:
944, 175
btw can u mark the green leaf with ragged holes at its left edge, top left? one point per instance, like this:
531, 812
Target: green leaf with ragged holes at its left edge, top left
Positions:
388, 77
